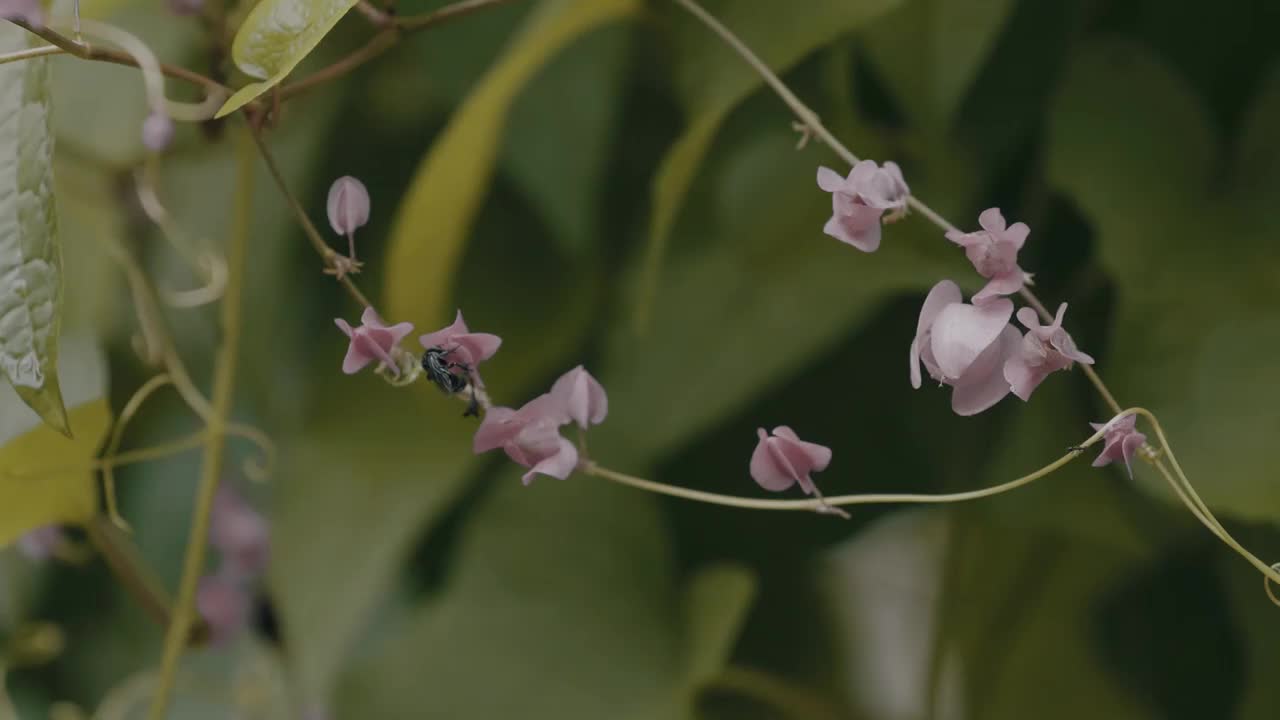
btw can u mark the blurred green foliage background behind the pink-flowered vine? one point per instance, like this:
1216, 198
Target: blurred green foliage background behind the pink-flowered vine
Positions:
556, 168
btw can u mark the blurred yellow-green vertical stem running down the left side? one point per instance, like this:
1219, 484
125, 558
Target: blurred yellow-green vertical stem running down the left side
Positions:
225, 384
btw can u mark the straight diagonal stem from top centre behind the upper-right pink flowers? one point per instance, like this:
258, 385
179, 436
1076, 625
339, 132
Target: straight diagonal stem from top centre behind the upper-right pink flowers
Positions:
811, 120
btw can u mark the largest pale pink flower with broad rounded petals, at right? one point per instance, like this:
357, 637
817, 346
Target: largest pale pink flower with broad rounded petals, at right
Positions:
964, 347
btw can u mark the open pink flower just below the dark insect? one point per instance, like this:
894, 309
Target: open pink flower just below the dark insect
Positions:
531, 436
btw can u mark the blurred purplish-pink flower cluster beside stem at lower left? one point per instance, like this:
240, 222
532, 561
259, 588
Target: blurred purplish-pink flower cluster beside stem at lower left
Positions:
243, 539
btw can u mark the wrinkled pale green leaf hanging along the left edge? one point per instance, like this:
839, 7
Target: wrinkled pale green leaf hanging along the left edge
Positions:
31, 282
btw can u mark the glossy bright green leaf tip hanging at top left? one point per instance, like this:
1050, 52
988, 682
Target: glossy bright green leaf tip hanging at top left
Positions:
275, 38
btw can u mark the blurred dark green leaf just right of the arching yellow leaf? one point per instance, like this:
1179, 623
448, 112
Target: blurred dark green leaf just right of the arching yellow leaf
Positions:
557, 158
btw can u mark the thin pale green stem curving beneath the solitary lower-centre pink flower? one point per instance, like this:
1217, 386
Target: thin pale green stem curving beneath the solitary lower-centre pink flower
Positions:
592, 468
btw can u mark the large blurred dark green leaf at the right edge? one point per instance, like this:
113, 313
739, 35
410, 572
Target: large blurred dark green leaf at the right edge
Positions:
1190, 247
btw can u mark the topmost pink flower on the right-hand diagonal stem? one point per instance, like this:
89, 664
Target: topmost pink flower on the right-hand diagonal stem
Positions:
860, 200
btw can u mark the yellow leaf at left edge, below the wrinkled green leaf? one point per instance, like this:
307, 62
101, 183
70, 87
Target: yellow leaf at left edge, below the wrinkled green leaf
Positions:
47, 479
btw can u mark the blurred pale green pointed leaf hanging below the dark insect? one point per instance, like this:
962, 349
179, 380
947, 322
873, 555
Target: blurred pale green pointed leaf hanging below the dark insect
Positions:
355, 490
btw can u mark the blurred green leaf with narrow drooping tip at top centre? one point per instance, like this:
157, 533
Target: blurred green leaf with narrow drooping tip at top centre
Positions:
712, 80
